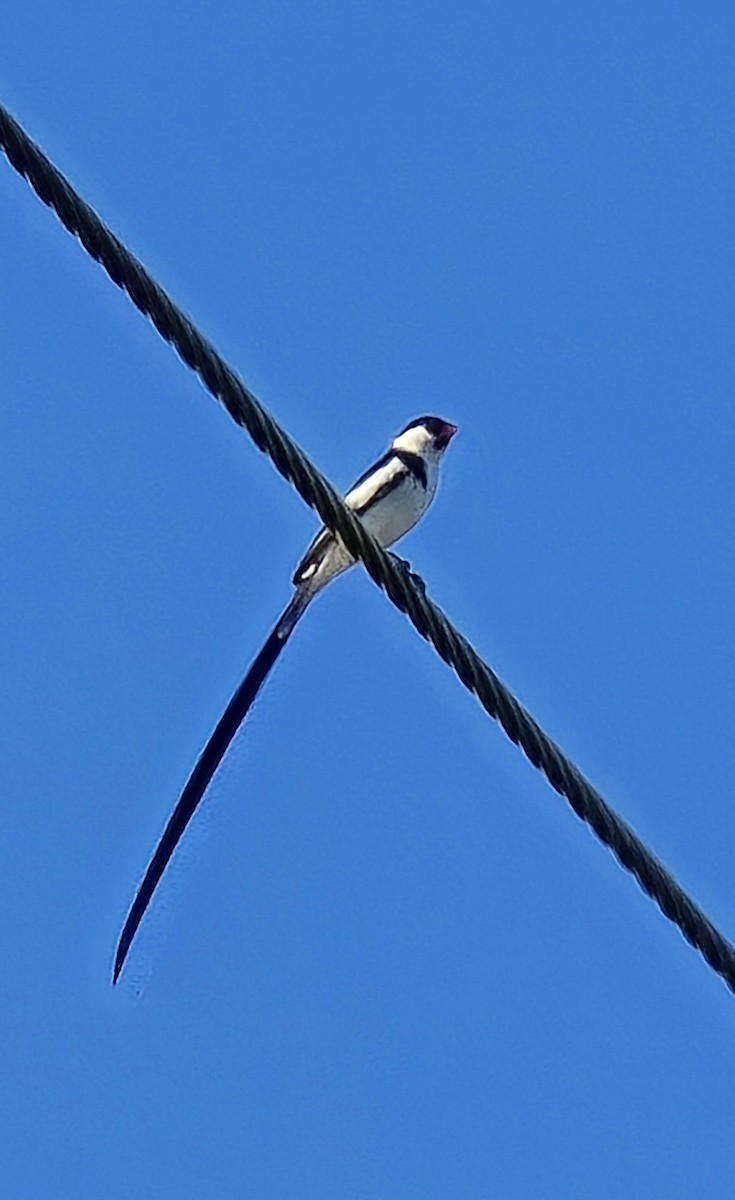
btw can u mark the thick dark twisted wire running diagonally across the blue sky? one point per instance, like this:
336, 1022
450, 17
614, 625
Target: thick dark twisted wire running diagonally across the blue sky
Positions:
427, 619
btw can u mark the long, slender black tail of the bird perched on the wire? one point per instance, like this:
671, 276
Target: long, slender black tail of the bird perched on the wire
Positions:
201, 777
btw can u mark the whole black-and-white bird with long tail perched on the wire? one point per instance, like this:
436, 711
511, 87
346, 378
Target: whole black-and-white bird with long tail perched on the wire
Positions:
390, 499
